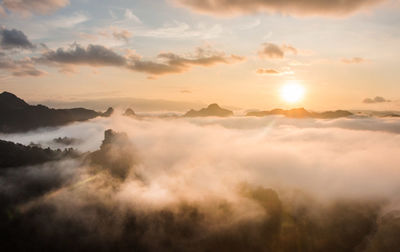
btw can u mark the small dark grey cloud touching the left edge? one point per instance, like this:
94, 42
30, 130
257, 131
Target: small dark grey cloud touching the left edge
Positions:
14, 39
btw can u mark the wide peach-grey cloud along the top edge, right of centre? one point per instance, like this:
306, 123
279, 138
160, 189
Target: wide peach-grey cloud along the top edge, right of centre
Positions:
290, 7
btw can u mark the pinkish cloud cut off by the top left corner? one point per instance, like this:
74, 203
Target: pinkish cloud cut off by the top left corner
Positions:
28, 7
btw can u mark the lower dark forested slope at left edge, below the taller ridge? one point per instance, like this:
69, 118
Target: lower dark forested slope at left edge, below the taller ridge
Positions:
15, 155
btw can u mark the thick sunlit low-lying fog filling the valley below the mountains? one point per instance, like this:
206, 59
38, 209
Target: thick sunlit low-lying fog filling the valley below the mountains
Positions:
272, 183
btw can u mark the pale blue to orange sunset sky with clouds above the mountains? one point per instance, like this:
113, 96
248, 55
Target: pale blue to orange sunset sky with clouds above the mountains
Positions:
345, 54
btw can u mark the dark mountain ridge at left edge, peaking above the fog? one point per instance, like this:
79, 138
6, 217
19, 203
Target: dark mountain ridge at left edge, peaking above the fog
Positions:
18, 116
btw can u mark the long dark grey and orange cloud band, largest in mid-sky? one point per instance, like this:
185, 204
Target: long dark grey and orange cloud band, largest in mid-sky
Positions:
167, 63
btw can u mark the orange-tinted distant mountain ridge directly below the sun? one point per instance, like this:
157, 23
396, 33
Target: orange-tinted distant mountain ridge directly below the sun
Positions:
302, 113
